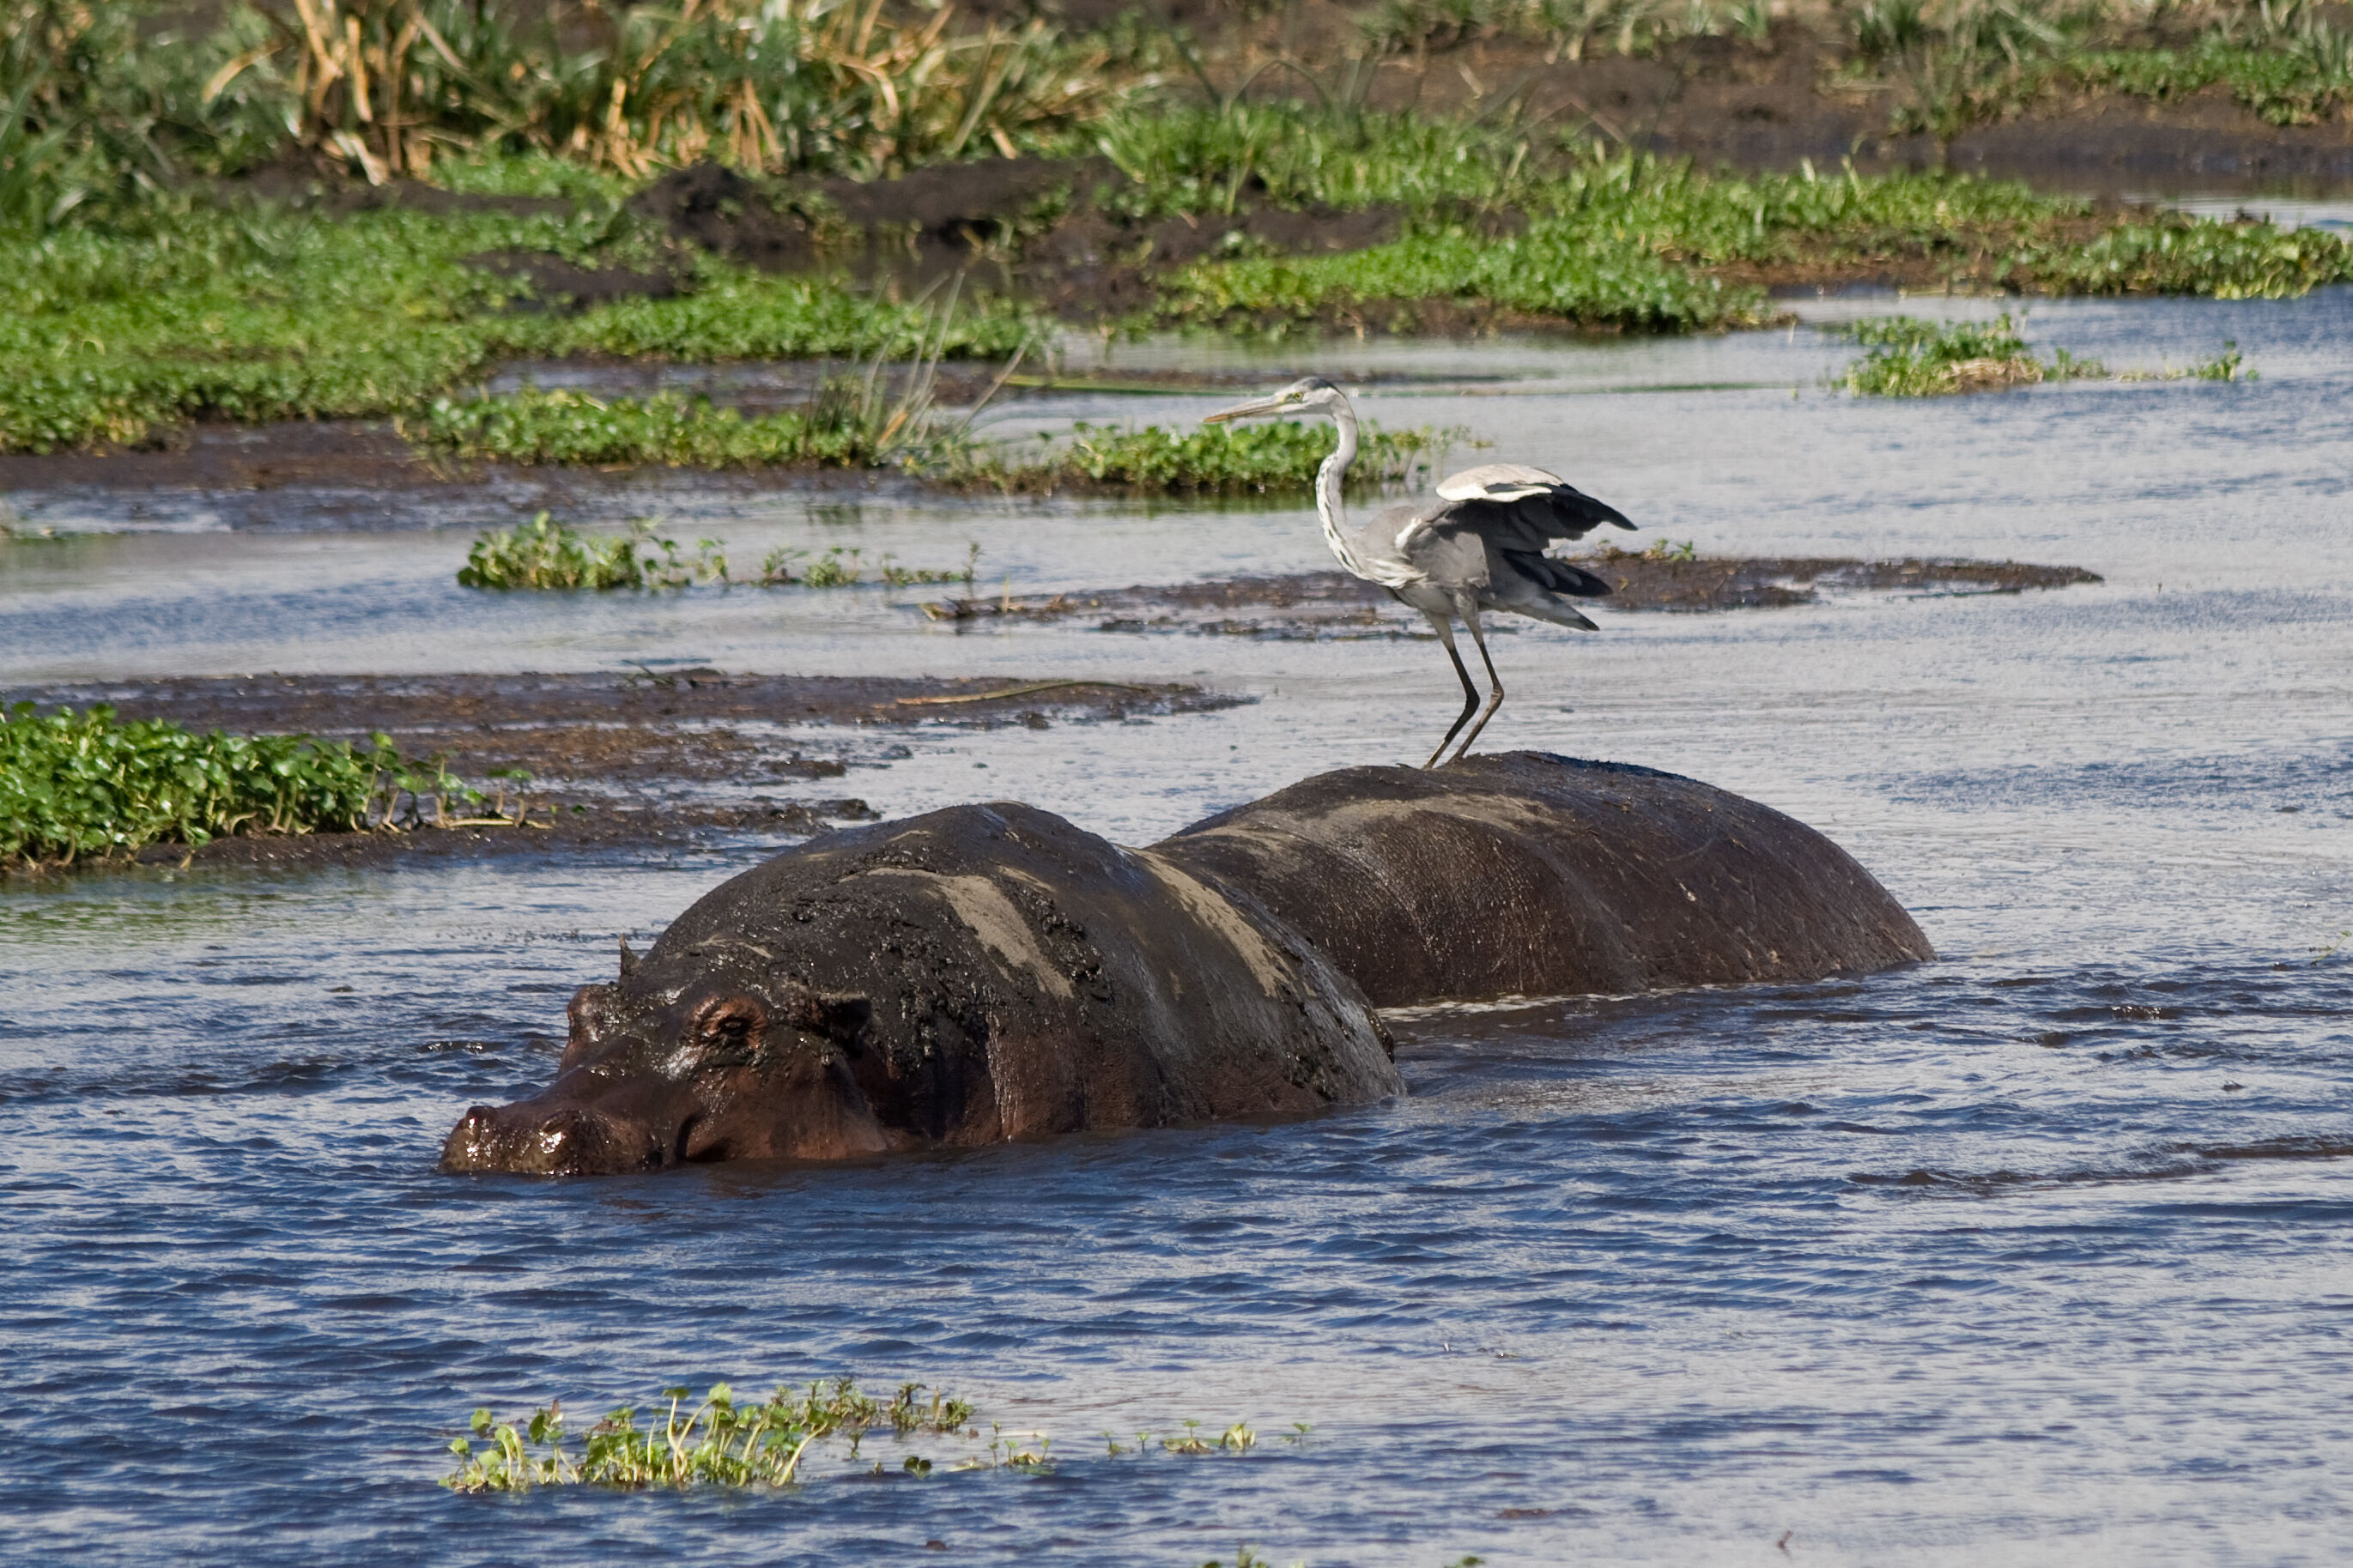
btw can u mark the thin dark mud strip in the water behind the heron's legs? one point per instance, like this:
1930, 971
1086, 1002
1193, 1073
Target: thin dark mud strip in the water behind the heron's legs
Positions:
1314, 605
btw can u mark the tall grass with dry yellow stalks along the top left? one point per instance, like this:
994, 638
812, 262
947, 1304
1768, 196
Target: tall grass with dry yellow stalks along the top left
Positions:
98, 105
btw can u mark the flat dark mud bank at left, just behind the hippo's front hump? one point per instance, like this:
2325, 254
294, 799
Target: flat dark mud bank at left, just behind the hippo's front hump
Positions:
615, 760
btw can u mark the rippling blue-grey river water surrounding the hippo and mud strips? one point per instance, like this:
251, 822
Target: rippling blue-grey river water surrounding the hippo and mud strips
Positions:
2037, 1254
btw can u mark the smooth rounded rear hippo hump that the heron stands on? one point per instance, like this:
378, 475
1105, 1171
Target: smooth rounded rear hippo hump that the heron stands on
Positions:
1542, 876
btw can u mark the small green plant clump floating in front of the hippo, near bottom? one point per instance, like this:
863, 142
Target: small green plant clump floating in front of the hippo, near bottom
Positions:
698, 1445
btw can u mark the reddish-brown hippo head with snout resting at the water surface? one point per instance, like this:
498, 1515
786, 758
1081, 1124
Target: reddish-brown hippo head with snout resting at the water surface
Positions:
688, 1061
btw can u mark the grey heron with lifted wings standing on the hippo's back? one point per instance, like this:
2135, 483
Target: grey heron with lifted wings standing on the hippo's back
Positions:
1477, 547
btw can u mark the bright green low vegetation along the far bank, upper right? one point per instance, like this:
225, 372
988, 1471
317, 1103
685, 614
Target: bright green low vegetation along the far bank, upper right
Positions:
1575, 236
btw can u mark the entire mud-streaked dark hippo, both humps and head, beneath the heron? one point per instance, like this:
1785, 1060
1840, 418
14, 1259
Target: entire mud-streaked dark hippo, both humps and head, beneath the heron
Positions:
996, 972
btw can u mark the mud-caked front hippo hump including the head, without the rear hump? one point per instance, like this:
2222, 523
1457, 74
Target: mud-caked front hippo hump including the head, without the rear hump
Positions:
952, 979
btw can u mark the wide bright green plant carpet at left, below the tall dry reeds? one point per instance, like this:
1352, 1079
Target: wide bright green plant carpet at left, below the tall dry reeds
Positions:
276, 314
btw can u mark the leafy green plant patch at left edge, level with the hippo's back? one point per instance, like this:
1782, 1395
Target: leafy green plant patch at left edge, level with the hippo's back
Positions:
81, 784
